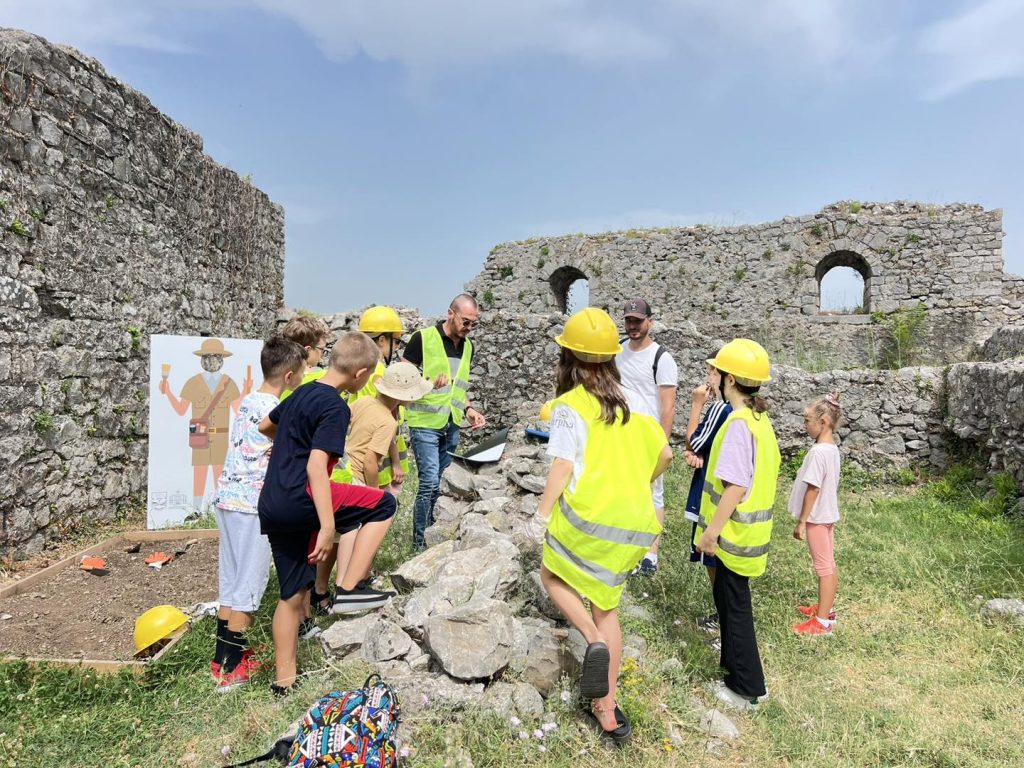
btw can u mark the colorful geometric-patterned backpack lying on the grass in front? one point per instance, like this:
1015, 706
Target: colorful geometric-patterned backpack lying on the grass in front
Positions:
348, 730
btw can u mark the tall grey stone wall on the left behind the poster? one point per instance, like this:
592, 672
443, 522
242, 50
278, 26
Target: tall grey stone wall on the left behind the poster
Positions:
114, 226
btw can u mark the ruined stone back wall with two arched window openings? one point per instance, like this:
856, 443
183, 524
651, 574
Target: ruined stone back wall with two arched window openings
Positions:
763, 281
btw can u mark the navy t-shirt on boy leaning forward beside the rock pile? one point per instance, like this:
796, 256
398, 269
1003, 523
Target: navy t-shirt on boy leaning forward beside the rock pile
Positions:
314, 417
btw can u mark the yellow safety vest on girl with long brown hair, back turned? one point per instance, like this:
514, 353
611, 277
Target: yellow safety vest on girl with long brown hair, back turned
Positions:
606, 522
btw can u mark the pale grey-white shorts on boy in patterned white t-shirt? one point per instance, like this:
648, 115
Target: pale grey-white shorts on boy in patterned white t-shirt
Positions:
245, 561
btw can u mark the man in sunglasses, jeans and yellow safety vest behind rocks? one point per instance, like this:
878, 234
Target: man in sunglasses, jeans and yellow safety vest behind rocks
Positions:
445, 355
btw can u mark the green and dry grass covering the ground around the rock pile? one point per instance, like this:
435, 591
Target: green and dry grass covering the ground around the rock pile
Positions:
914, 677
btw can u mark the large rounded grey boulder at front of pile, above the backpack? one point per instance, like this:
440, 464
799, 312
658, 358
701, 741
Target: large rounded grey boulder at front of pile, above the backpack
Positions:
474, 642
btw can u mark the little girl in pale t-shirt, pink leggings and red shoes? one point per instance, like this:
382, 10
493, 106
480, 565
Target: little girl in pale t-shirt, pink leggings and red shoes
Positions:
815, 503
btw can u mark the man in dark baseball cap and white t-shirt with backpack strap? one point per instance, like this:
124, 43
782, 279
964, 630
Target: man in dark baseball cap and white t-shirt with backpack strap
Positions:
650, 371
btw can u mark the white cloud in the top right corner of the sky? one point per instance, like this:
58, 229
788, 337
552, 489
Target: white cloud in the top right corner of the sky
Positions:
982, 45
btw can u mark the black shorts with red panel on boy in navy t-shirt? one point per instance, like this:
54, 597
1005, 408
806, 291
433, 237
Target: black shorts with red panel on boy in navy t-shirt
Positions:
291, 549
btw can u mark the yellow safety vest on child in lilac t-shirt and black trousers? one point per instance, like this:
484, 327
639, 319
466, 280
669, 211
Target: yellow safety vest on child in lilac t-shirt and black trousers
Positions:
744, 544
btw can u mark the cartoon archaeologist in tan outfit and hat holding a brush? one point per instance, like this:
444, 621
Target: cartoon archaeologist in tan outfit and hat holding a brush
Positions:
212, 397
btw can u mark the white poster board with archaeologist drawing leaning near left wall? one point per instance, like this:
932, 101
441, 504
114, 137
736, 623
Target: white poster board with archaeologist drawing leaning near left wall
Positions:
187, 451
